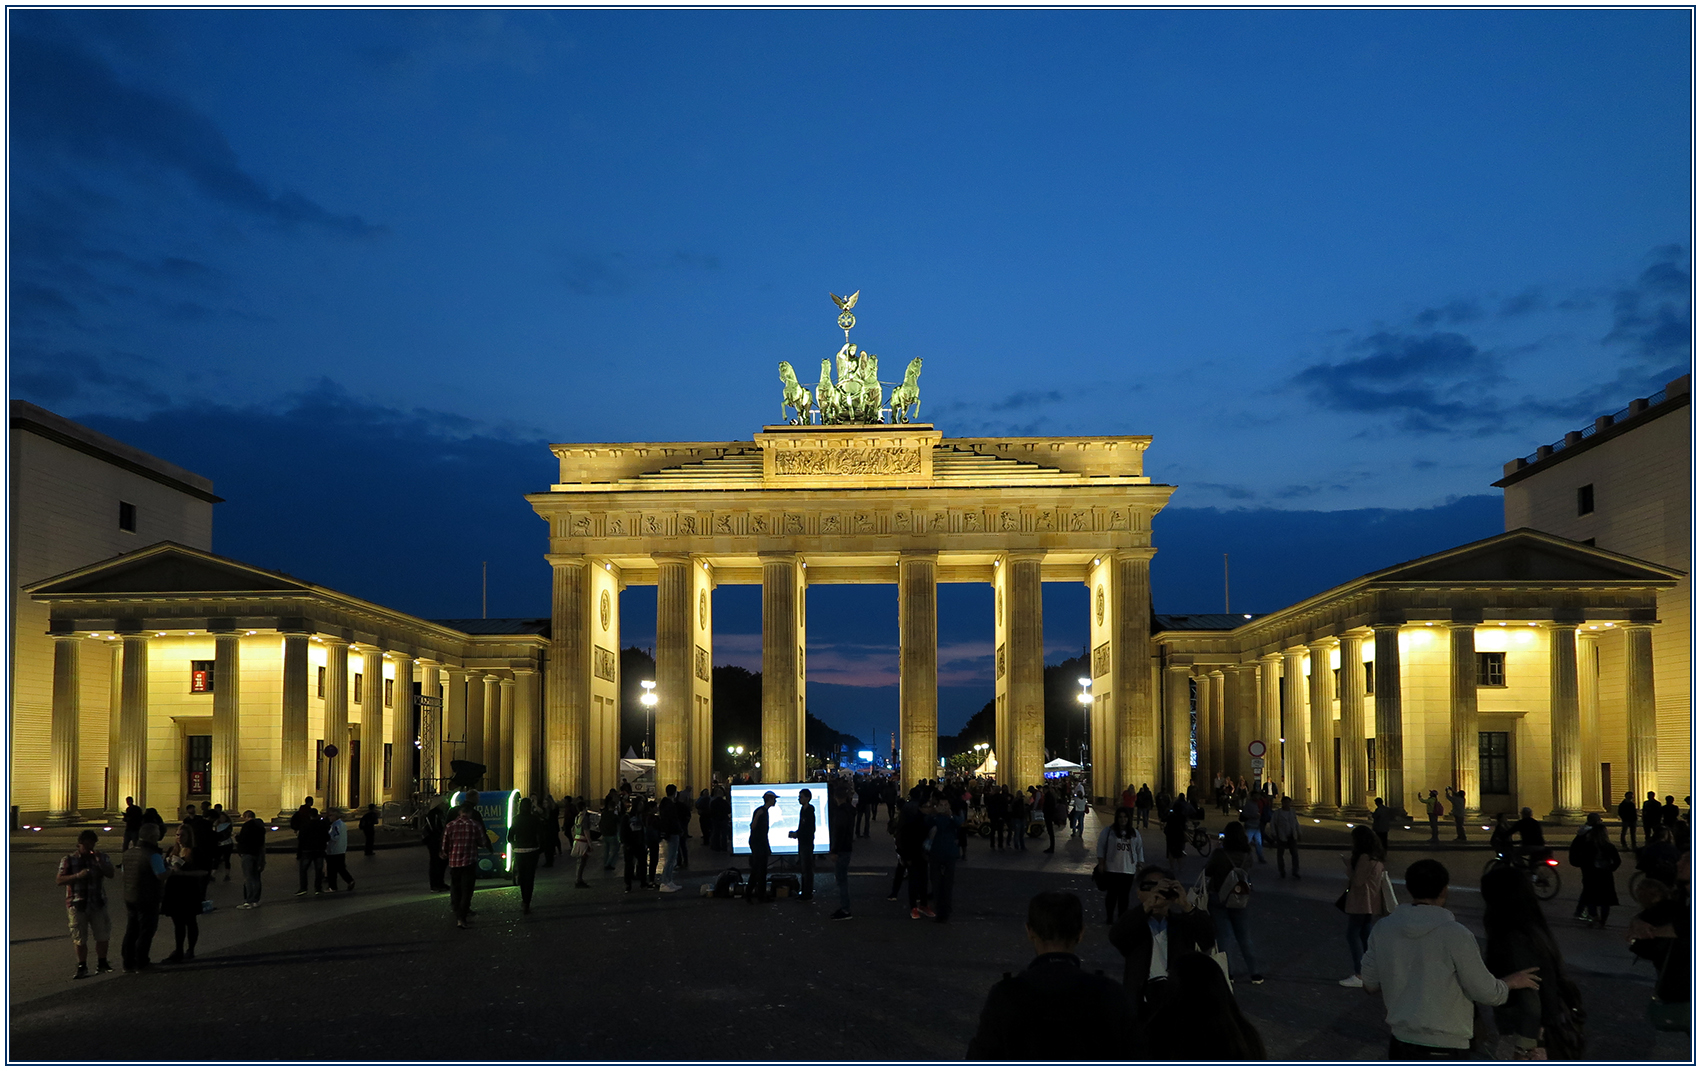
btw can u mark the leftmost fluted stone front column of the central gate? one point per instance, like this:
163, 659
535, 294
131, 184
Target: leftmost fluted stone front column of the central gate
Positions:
567, 705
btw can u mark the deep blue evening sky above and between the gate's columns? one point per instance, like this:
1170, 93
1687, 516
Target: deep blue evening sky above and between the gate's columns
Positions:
358, 268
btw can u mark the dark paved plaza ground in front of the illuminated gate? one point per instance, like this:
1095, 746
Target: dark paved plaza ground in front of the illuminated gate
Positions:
600, 975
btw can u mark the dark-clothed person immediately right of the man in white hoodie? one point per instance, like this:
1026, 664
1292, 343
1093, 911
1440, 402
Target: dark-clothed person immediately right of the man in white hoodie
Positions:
1545, 1023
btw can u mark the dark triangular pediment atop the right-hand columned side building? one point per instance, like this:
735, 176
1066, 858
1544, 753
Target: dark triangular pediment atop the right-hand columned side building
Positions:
1527, 557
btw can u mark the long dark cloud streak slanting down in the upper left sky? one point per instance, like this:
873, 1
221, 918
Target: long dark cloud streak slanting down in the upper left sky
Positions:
69, 103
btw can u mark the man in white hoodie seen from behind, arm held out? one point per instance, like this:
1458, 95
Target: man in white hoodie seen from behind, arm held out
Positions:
1430, 973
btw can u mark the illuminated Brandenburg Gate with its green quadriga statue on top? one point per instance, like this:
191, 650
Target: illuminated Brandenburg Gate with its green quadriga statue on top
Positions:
843, 497
